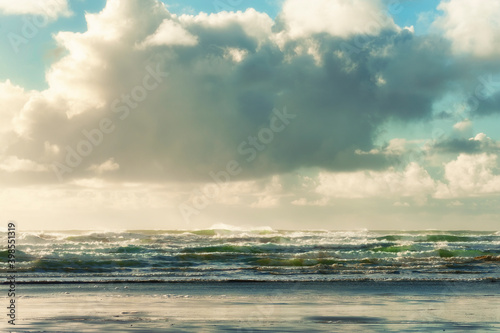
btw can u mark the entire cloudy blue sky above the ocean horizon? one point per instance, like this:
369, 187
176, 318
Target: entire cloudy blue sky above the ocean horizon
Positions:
292, 114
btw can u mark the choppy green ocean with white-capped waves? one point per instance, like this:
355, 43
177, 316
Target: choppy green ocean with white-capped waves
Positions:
260, 254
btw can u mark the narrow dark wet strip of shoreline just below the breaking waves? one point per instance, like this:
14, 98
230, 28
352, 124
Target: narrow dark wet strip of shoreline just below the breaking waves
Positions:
253, 288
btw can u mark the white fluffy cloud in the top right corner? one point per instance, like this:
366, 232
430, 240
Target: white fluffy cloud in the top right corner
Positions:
472, 26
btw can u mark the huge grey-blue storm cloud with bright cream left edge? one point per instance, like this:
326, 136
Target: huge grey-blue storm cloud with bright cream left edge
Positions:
173, 98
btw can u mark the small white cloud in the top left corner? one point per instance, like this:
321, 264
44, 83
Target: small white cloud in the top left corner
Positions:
50, 8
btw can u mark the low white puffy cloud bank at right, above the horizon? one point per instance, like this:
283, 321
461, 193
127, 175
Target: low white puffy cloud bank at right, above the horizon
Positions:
467, 176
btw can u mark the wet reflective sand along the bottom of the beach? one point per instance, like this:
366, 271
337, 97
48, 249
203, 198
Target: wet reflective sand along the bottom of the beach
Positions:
259, 307
